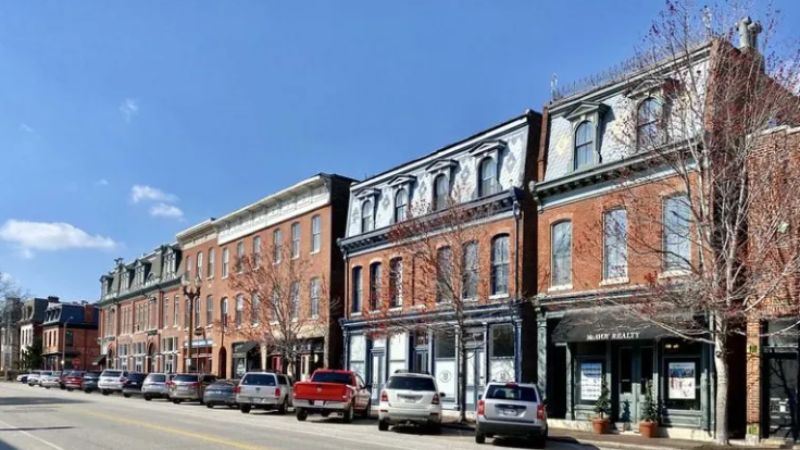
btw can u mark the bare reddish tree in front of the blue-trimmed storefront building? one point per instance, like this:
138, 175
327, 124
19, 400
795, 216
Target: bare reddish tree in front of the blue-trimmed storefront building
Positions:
445, 275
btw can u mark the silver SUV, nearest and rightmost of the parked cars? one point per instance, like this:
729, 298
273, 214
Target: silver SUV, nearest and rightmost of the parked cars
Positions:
511, 409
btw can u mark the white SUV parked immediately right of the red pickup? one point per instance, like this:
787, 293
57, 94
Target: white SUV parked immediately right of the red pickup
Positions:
410, 398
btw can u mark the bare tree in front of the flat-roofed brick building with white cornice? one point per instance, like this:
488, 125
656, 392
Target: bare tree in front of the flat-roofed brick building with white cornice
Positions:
281, 301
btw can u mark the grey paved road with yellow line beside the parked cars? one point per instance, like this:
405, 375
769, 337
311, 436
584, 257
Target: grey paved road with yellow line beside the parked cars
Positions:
36, 418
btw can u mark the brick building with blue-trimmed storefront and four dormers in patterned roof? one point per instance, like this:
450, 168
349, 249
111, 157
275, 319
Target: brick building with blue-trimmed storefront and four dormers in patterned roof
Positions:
396, 318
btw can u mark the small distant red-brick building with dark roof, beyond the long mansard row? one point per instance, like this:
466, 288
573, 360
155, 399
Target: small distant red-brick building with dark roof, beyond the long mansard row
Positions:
69, 336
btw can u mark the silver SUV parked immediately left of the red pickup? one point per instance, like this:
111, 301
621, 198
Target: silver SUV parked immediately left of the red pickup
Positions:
264, 390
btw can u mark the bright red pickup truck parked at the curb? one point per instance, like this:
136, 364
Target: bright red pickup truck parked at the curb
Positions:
332, 391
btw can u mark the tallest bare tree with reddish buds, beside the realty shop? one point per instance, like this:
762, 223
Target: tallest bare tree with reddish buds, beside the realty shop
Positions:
718, 202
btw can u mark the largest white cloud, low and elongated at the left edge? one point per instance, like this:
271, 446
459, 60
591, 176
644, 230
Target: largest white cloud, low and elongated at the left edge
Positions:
50, 236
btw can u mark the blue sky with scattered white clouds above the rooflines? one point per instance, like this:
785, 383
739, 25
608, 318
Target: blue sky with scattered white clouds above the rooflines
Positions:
122, 123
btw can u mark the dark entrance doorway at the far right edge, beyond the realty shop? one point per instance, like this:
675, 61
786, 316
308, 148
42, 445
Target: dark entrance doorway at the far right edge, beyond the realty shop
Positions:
781, 395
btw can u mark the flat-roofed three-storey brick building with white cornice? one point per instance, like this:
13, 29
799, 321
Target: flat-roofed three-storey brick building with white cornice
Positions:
300, 225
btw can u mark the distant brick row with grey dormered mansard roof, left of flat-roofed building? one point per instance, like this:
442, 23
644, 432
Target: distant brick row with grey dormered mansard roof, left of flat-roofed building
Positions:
142, 314
